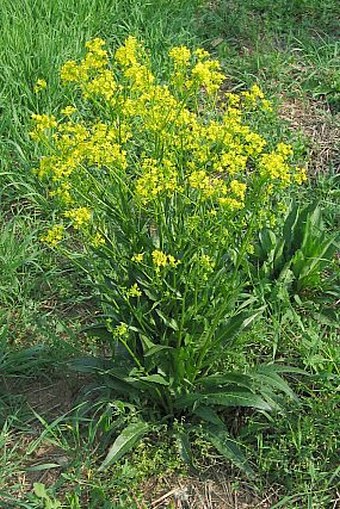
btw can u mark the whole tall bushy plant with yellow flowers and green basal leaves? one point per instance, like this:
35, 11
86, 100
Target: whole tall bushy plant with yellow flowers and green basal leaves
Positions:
166, 185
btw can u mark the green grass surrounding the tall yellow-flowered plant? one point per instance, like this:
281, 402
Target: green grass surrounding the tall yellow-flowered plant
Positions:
51, 428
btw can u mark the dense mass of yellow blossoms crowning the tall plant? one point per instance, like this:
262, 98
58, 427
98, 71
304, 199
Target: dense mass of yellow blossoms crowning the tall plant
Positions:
157, 140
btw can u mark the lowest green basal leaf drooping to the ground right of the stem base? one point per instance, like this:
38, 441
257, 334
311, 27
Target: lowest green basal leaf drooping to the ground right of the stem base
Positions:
229, 448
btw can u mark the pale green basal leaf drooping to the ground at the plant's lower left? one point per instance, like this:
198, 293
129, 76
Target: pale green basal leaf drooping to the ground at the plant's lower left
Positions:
125, 442
